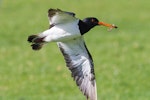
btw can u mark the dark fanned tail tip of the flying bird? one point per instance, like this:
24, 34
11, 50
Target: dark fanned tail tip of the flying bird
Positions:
37, 42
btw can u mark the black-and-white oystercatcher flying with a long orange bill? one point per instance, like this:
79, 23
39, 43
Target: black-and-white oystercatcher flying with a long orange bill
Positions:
68, 32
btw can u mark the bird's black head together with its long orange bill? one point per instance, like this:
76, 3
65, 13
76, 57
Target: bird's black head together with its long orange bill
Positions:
92, 21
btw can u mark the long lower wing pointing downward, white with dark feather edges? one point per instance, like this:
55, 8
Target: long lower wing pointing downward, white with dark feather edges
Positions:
79, 61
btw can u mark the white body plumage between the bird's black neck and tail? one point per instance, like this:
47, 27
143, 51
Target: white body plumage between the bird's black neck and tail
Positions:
61, 32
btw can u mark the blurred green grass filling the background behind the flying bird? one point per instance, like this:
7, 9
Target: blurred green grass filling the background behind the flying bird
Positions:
121, 57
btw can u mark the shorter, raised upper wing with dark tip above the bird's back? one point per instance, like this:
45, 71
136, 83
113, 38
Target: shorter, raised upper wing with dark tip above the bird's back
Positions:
57, 16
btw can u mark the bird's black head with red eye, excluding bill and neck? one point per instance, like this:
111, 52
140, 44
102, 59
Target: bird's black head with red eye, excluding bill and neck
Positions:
91, 21
